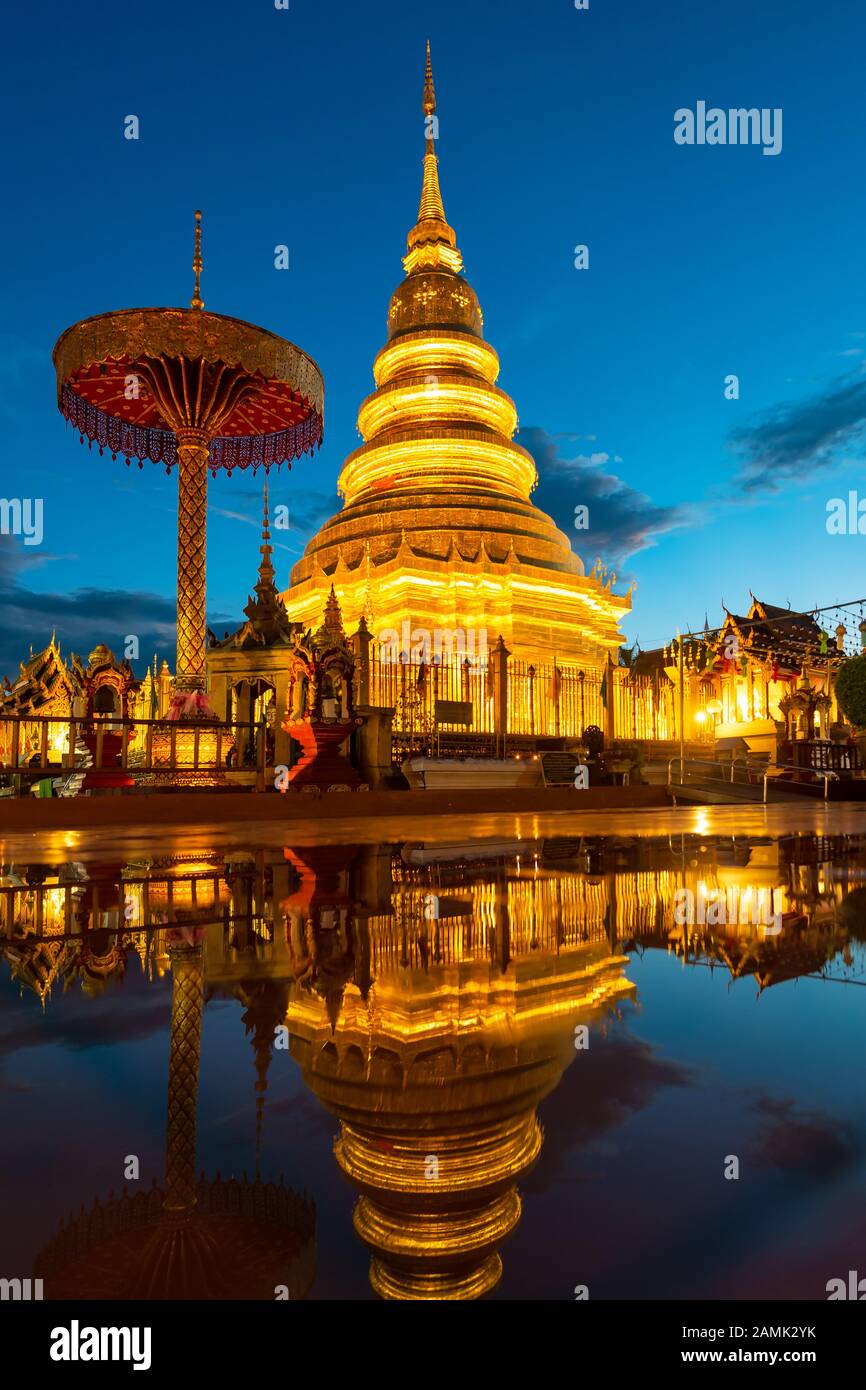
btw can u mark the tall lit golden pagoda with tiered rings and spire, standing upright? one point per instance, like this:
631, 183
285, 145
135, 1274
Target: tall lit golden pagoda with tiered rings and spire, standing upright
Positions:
437, 529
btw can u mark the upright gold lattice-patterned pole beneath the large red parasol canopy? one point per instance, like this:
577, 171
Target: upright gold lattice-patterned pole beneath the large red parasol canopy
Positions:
193, 559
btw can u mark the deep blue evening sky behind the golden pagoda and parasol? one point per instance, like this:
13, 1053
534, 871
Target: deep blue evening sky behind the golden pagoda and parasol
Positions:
304, 127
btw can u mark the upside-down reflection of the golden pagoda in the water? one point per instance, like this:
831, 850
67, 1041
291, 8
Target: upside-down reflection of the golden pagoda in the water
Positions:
437, 1075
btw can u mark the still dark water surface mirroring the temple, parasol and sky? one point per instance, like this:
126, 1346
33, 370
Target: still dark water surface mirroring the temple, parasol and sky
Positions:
508, 1065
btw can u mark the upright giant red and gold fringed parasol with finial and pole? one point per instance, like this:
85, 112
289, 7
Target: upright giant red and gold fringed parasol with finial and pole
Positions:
180, 386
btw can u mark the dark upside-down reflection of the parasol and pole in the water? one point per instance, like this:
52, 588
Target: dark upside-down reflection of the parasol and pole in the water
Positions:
206, 1239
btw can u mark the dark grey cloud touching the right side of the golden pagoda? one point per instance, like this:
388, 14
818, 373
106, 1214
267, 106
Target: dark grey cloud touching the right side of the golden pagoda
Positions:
622, 521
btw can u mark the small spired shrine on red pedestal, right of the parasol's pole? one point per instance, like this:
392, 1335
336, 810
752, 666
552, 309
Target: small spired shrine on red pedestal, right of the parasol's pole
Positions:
320, 712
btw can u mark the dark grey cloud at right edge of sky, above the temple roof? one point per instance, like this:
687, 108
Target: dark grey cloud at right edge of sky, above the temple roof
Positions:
794, 440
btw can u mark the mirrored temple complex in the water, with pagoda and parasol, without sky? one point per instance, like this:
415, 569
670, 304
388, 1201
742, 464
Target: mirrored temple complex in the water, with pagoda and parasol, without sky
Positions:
432, 997
